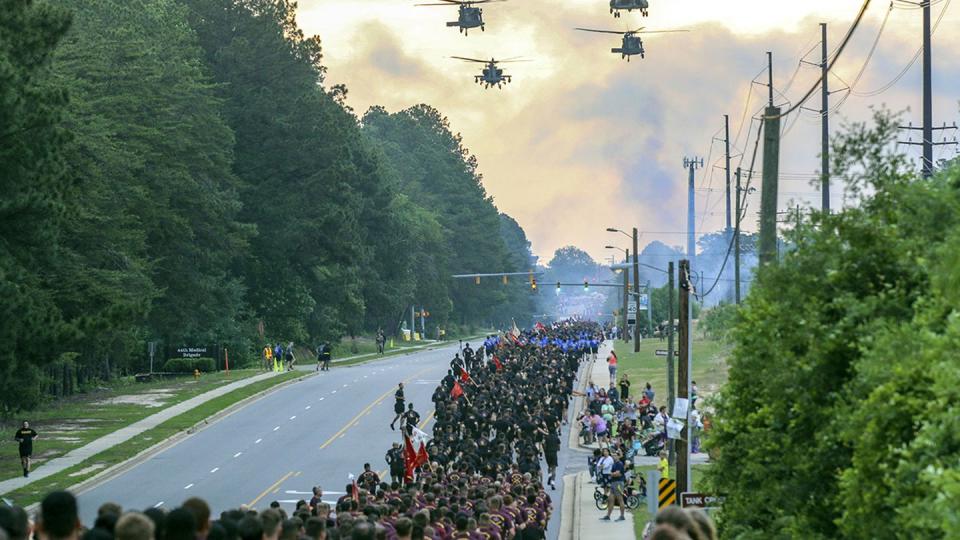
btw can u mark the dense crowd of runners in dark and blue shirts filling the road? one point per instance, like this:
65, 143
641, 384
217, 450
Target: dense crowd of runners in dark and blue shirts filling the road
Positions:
499, 412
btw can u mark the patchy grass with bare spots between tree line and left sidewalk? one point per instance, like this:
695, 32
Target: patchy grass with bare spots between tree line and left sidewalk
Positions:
71, 423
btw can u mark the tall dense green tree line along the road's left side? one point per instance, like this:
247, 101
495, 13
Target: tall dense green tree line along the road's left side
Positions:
178, 171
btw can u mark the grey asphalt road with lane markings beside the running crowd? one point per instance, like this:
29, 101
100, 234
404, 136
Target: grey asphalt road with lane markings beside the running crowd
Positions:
314, 432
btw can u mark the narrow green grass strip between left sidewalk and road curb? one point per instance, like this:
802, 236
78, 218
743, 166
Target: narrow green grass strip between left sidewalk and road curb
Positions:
35, 491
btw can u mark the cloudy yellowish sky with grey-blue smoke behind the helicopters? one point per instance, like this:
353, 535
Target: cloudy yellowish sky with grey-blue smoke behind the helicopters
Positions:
582, 140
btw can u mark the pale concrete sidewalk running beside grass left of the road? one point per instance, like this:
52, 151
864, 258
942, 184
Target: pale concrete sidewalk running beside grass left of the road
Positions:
93, 448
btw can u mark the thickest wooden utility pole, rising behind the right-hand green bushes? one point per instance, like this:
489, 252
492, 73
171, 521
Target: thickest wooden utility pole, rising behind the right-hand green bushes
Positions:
771, 173
